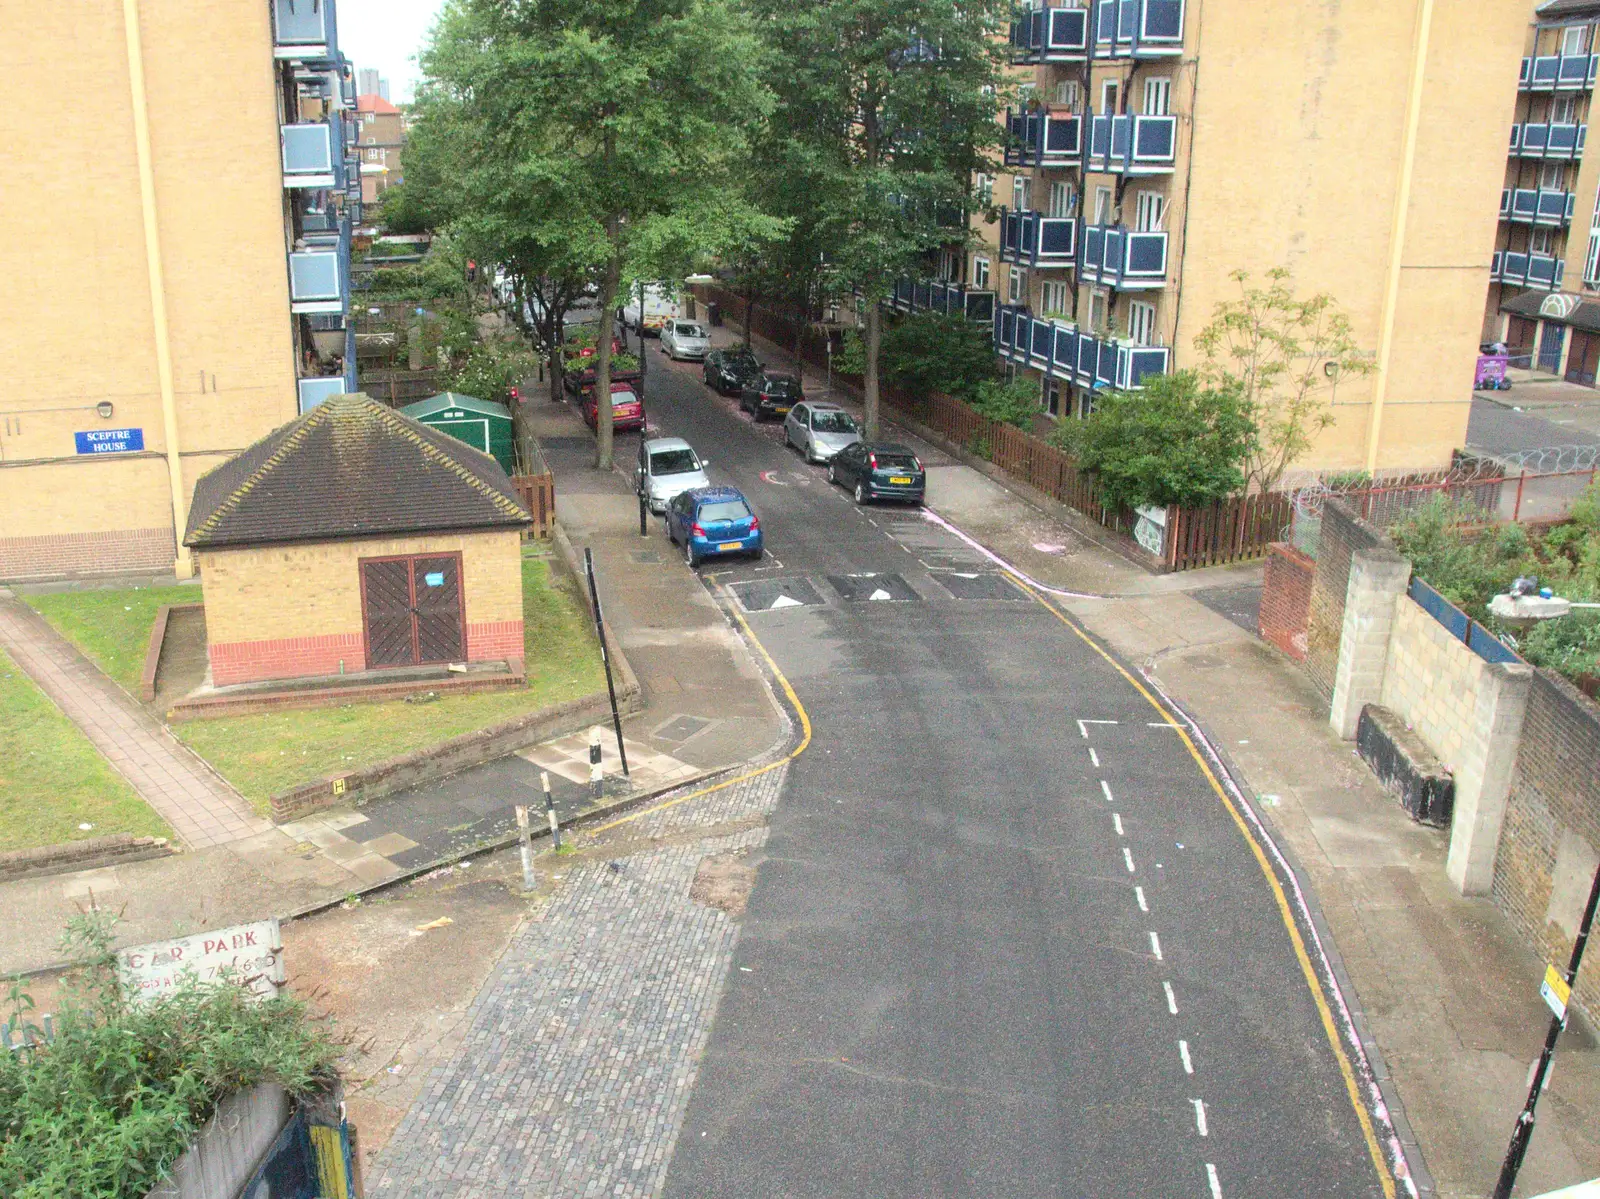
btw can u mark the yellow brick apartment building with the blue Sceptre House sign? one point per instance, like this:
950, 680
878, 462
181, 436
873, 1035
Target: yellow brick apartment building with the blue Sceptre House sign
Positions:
175, 267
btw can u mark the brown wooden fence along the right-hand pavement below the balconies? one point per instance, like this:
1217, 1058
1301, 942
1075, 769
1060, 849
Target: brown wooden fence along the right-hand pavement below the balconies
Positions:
1233, 531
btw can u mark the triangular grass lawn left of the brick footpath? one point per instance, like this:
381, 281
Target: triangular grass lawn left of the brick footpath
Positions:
54, 780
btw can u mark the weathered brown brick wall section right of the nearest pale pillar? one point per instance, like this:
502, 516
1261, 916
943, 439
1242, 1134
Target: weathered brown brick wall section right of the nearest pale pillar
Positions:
1550, 843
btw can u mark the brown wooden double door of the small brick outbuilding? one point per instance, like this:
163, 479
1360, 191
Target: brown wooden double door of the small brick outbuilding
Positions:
412, 611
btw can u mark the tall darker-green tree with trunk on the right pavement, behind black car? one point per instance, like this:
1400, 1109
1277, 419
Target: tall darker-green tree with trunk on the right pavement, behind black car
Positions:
890, 110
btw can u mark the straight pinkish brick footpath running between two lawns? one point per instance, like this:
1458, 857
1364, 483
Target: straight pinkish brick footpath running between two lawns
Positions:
196, 803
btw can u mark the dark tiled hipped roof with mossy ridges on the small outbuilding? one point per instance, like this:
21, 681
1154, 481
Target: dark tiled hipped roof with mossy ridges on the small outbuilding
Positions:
350, 468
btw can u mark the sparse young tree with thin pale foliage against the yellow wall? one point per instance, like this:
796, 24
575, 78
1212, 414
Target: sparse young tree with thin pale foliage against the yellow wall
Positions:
1286, 358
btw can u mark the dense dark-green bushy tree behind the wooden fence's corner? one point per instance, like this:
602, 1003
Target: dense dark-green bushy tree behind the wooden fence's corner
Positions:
1180, 441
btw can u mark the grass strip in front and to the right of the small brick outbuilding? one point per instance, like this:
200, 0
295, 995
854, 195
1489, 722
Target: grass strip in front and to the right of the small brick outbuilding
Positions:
271, 753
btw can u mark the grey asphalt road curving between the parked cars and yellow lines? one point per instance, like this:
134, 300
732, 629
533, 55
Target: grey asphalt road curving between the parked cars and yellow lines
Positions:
991, 950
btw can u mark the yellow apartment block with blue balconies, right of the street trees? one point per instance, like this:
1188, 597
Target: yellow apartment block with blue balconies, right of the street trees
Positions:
1162, 145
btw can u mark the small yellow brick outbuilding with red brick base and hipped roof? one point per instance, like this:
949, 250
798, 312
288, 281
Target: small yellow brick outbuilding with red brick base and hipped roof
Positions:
356, 539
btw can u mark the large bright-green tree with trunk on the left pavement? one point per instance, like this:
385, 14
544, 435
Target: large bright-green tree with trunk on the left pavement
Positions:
604, 135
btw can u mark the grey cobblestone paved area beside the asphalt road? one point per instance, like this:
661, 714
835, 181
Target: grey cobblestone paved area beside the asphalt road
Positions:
585, 1043
